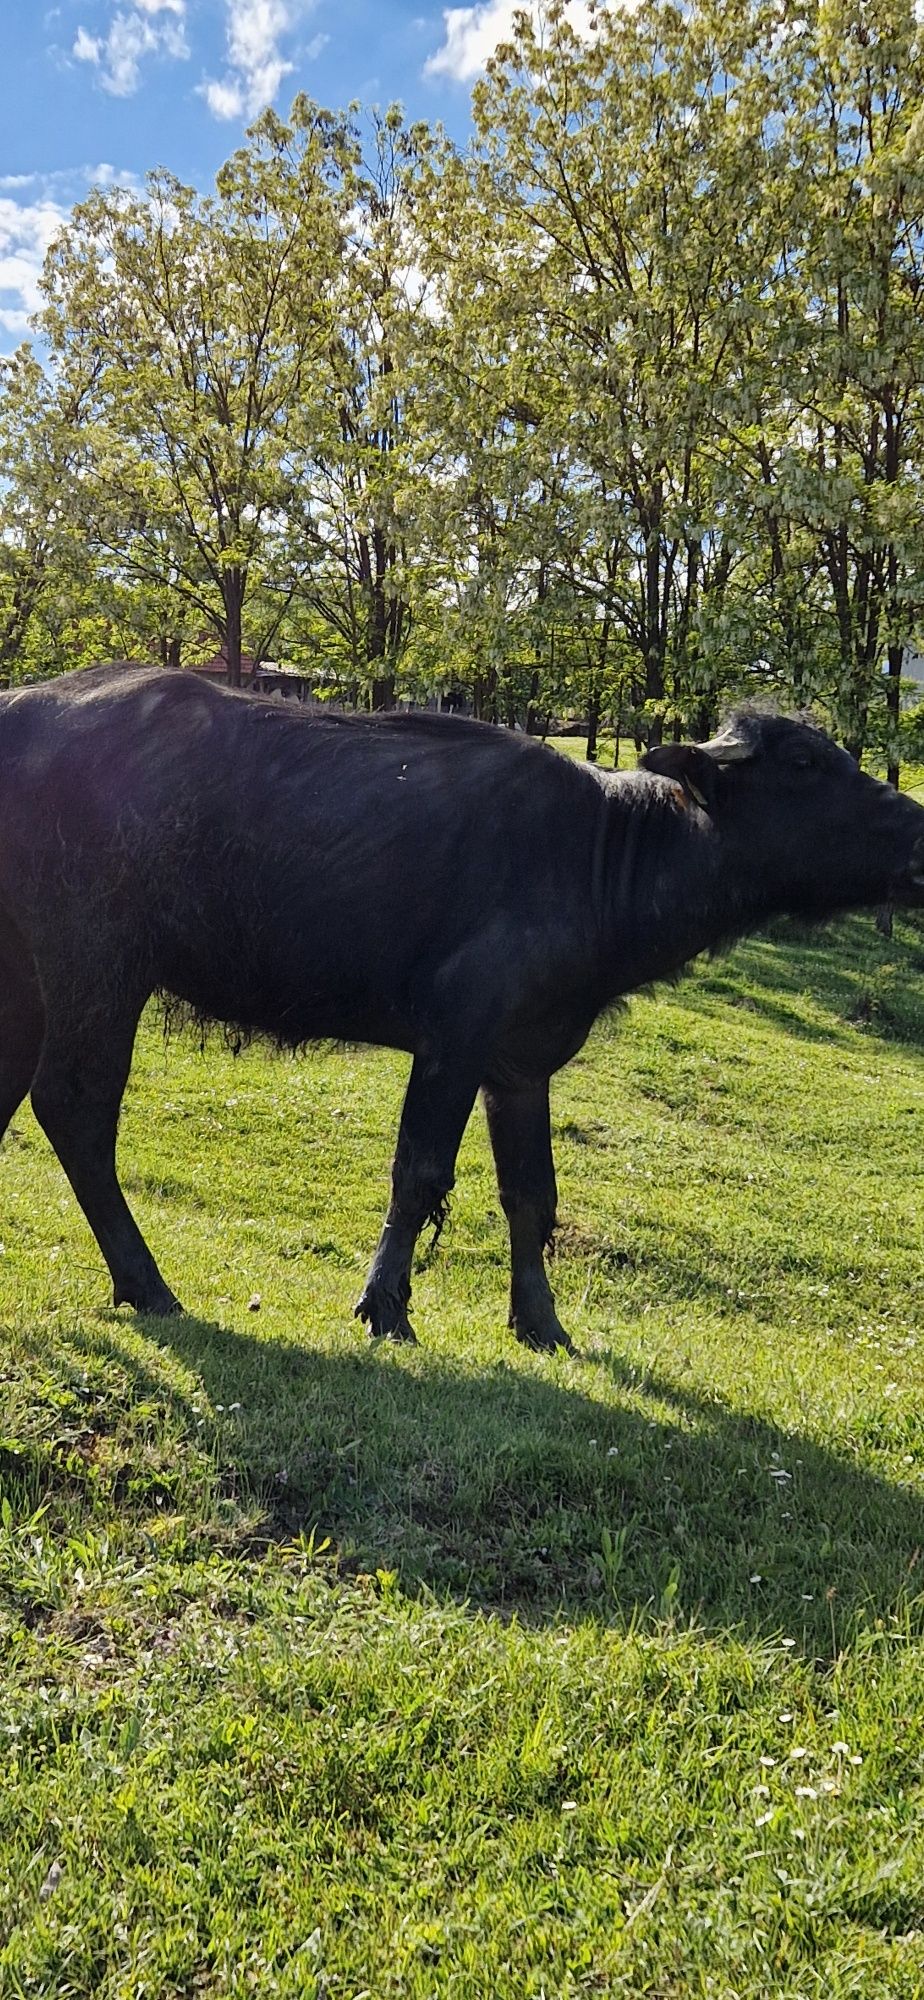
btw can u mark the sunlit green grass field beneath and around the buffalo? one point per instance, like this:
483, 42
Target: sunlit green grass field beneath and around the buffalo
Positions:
351, 1671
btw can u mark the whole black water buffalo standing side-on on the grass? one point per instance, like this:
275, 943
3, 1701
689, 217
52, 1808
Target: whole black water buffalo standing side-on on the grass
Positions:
423, 883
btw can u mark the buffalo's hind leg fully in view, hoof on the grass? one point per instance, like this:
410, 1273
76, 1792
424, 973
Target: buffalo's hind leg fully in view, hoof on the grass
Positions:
77, 1099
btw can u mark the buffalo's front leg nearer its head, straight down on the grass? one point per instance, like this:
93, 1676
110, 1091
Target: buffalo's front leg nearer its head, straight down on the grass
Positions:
521, 1137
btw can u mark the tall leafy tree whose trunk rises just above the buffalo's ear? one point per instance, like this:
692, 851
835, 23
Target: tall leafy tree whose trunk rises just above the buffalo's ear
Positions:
611, 227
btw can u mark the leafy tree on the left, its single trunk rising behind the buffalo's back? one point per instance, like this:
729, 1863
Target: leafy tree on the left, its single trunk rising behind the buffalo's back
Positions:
211, 323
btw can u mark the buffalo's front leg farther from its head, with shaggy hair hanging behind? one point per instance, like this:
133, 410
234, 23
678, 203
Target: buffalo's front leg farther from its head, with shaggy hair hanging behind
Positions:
437, 1109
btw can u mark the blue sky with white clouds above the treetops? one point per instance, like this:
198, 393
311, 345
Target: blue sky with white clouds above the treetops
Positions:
109, 89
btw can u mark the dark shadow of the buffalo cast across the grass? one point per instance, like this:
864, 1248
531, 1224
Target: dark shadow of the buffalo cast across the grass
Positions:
521, 1491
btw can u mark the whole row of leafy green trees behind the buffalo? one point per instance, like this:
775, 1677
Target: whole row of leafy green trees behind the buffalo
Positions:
617, 411
